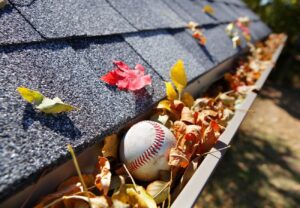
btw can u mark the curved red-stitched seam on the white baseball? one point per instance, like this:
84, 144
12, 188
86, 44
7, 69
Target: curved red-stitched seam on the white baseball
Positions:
151, 151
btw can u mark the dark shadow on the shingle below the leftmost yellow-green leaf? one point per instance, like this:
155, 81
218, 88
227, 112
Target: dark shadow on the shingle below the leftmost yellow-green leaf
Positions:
60, 123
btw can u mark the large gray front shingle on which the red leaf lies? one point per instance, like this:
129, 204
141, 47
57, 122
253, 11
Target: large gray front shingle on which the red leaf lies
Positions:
31, 141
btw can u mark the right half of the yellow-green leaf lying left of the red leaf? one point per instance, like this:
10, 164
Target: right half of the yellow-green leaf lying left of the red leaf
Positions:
54, 106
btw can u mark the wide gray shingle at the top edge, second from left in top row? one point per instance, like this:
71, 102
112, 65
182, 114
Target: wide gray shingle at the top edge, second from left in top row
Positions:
63, 18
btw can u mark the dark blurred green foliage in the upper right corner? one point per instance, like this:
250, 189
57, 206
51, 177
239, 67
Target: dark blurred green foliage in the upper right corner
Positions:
283, 16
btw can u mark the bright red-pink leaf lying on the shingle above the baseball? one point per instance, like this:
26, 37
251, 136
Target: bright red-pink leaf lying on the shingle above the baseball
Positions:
126, 78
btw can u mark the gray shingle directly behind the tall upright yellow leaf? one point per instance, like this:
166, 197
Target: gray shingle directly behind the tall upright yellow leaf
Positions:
162, 51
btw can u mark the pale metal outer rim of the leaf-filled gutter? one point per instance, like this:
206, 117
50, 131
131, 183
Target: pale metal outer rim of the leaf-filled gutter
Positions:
190, 193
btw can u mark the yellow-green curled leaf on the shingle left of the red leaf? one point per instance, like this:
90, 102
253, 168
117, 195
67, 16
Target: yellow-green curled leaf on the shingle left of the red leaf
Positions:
44, 104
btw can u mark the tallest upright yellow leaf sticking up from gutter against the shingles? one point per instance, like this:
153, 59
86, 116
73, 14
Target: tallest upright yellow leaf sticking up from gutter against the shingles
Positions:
178, 76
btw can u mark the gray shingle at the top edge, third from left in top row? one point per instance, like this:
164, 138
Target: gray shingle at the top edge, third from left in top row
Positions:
144, 14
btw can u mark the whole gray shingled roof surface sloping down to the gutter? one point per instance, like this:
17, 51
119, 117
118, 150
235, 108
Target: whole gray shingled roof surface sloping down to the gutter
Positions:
61, 48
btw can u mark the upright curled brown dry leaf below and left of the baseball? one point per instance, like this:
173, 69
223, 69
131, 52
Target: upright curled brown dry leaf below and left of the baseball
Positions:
103, 179
